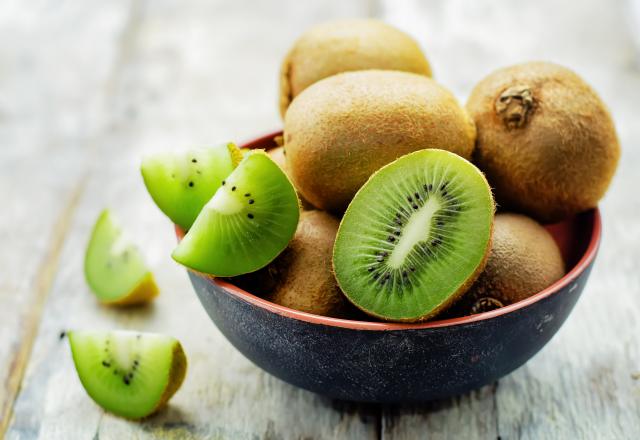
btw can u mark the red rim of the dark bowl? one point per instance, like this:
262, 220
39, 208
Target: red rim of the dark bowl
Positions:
570, 277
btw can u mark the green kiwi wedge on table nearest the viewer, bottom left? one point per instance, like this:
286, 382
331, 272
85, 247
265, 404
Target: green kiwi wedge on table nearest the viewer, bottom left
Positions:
129, 374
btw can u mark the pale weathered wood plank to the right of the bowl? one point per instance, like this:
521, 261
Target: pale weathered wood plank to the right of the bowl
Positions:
584, 384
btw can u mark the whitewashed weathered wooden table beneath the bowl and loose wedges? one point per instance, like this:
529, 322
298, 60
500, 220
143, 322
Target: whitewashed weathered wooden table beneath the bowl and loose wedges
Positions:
87, 87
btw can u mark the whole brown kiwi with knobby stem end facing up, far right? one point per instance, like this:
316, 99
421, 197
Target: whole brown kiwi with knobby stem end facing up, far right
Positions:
545, 140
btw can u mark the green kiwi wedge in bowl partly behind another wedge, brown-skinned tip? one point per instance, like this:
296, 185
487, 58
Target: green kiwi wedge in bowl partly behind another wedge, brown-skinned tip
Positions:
181, 183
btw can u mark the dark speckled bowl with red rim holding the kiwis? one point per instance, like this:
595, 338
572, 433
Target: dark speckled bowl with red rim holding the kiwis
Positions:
391, 362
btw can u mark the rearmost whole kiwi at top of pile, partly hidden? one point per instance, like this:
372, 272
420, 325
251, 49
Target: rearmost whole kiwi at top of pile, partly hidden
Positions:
347, 45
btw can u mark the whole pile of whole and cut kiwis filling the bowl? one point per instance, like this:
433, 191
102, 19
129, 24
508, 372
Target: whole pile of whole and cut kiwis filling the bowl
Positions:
387, 199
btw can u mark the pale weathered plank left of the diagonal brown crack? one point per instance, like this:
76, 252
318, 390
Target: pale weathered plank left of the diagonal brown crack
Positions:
47, 93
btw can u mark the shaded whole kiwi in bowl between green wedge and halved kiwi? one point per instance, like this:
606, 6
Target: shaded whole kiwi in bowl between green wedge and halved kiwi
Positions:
301, 277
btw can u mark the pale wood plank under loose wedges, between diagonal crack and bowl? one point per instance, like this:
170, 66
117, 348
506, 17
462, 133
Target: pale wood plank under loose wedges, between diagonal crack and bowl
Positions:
188, 73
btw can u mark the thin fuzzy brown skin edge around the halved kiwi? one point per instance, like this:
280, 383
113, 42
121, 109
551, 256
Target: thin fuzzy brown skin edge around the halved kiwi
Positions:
455, 297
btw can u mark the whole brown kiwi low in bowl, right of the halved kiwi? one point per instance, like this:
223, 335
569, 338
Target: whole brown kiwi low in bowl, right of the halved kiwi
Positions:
524, 260
